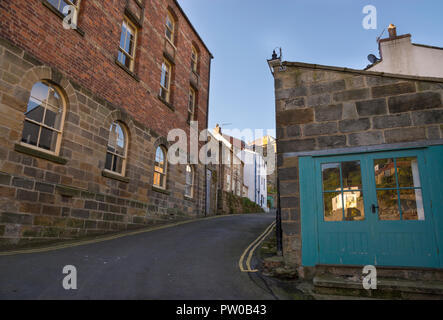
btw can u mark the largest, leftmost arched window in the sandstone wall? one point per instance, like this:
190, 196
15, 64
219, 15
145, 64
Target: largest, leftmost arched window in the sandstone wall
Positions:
44, 118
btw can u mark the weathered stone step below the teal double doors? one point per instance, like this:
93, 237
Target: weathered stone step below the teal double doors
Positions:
387, 288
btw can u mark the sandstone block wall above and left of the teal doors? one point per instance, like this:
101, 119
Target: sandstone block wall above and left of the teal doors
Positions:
326, 108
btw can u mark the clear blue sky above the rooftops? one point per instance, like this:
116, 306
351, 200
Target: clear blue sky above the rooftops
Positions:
241, 35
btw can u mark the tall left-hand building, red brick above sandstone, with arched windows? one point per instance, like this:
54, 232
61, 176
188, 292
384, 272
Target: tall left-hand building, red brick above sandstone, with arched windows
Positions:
85, 114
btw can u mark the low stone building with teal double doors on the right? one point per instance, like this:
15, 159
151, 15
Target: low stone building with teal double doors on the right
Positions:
360, 162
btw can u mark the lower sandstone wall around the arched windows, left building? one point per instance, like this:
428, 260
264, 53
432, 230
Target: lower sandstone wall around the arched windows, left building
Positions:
45, 197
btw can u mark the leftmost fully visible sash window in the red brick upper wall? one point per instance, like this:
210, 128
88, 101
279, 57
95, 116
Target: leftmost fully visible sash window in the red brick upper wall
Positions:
126, 51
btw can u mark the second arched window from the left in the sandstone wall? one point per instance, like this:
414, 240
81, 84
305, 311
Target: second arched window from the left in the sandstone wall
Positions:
117, 149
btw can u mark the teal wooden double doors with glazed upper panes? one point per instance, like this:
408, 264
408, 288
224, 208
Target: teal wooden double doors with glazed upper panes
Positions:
373, 209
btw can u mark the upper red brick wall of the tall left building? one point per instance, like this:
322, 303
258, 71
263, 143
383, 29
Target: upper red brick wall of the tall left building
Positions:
90, 59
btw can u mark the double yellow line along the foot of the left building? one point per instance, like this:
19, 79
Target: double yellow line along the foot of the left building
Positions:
107, 238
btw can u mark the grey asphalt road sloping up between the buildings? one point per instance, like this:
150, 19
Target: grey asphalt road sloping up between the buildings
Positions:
194, 261
